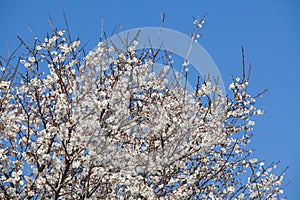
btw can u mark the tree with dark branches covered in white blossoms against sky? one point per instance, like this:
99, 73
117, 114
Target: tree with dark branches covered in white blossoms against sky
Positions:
105, 125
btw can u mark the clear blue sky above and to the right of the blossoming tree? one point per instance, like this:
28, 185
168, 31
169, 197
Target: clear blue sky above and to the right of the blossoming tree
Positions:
269, 30
